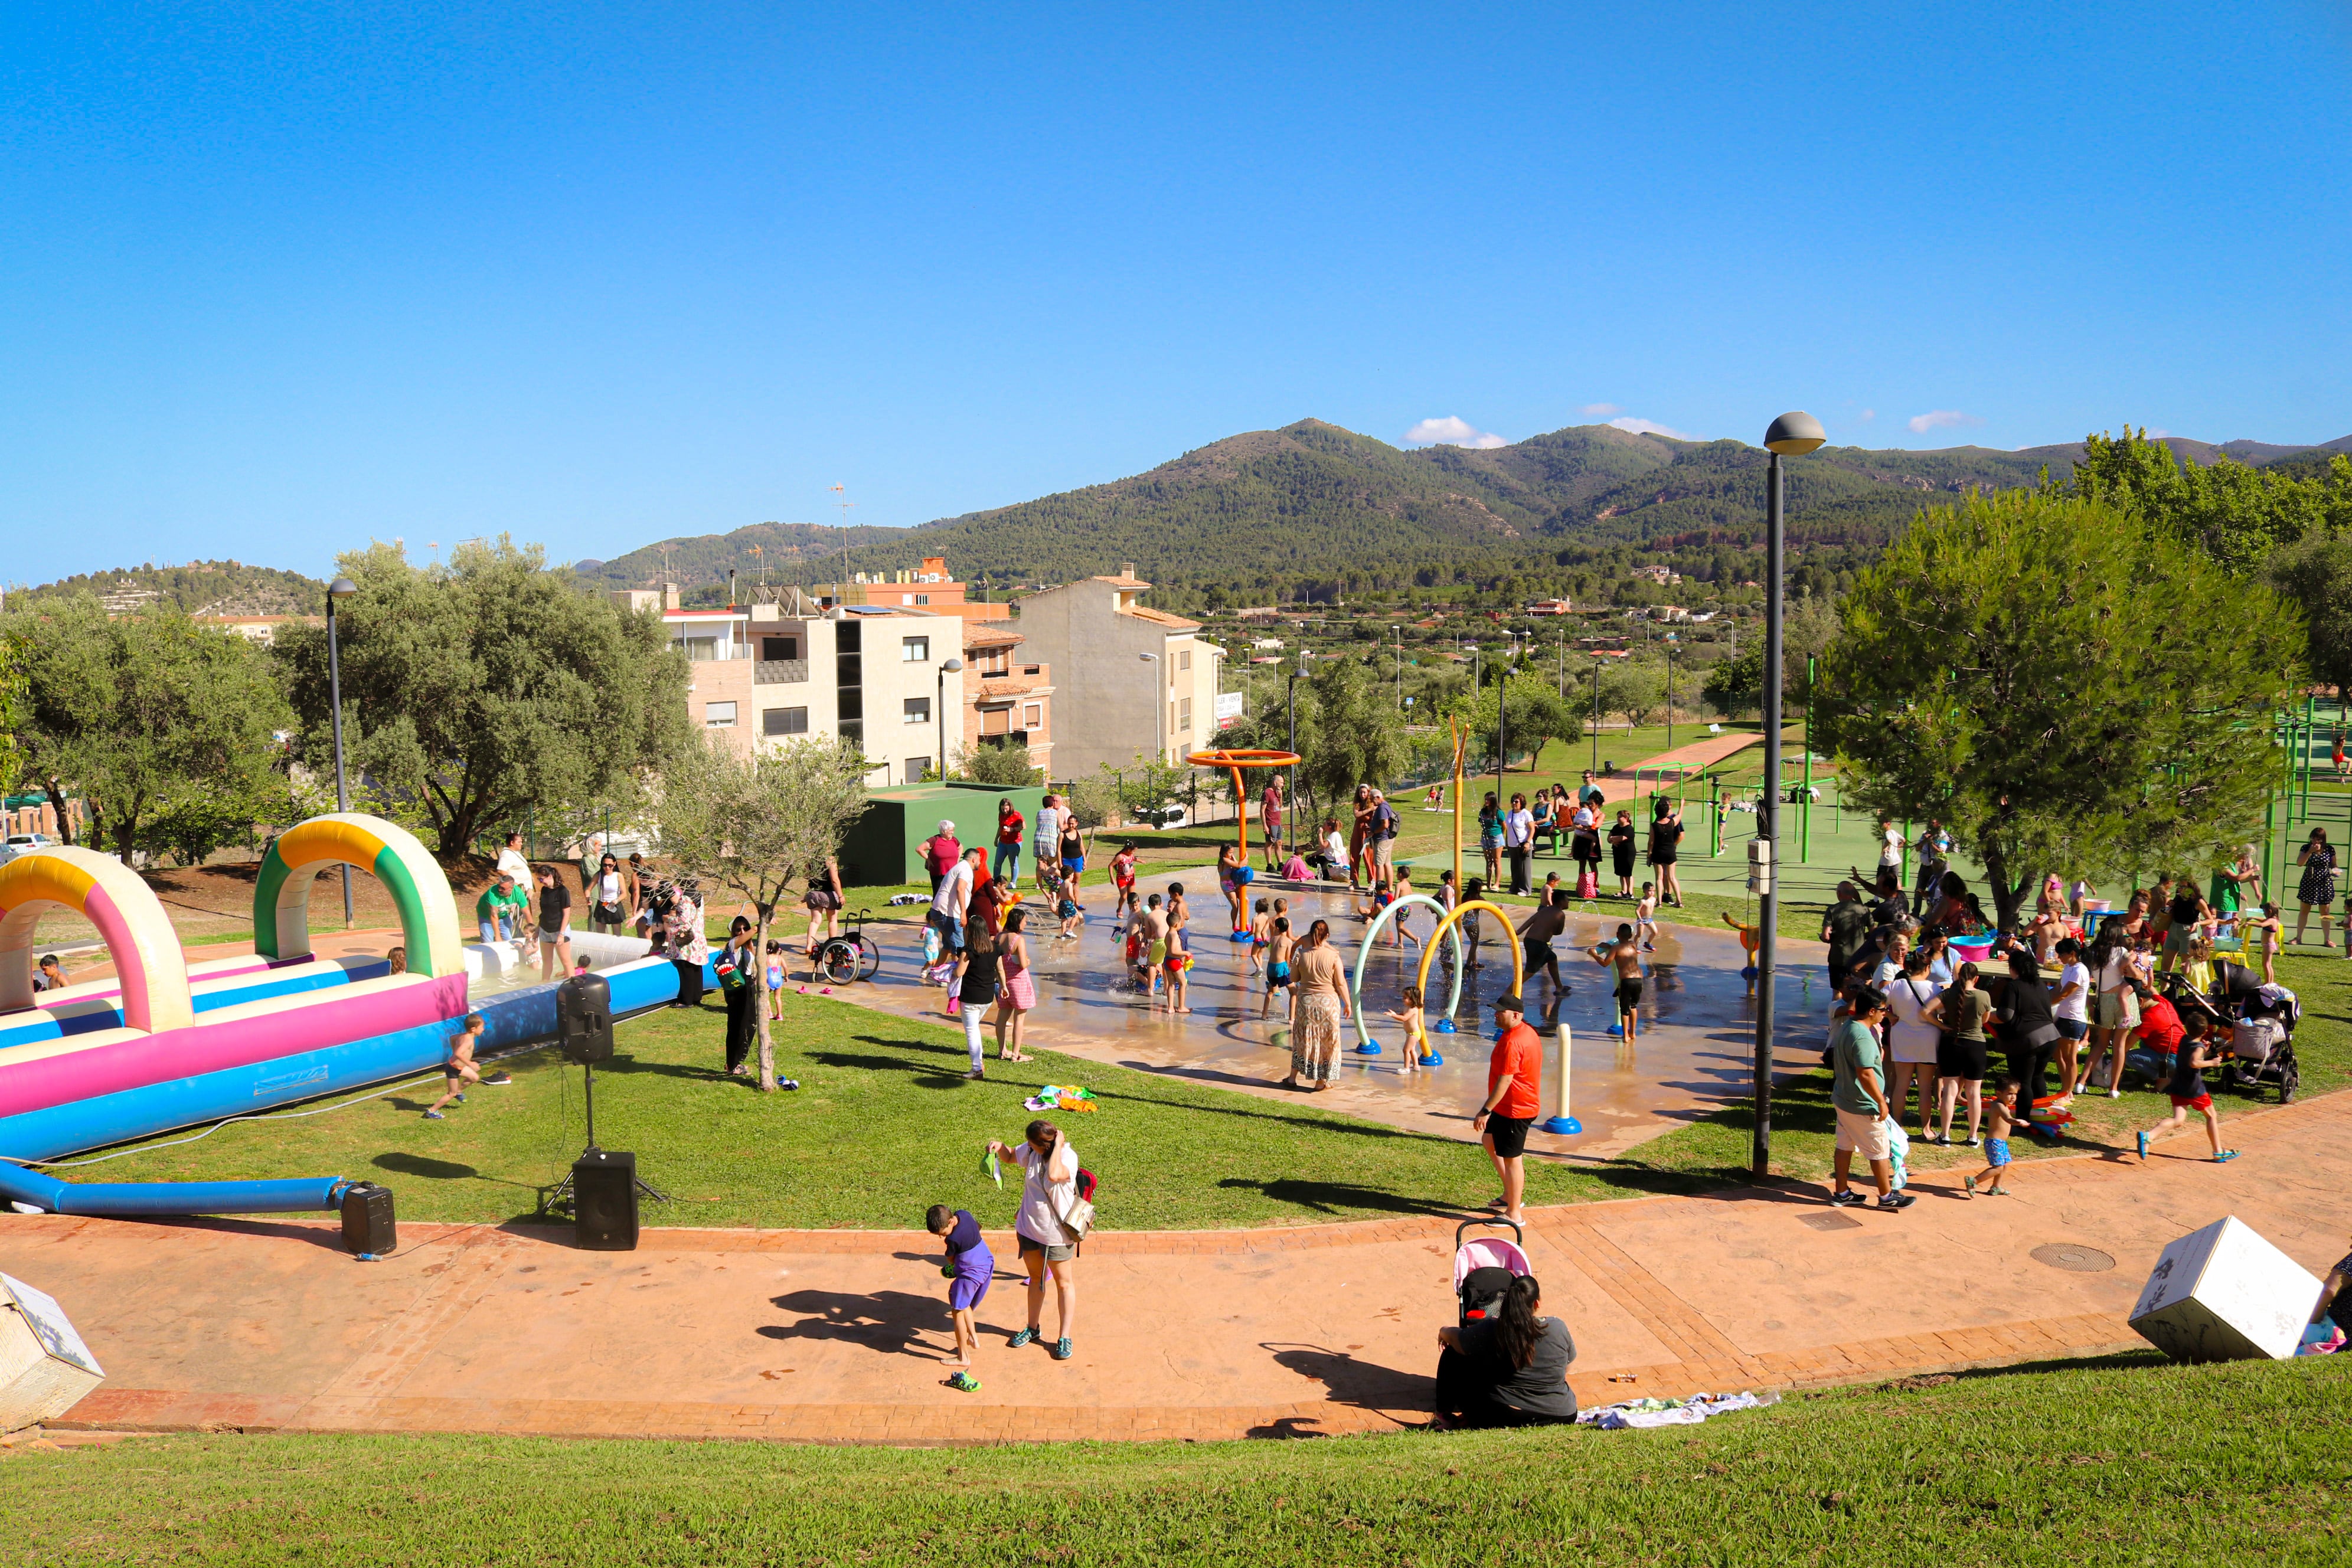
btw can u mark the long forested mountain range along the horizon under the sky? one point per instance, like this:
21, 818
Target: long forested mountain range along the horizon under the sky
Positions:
1276, 511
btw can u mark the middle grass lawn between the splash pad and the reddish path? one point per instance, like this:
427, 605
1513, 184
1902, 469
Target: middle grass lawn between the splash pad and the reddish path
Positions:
883, 1127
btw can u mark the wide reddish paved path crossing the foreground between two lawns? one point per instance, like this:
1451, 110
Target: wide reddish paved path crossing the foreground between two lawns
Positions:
836, 1336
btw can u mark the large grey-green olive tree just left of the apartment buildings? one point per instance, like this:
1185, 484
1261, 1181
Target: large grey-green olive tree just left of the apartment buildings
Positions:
493, 688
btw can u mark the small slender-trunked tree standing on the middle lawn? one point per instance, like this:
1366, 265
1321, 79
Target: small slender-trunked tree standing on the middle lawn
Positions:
759, 826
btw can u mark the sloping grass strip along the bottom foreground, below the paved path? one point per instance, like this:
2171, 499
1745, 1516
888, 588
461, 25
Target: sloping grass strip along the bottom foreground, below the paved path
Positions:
2123, 1461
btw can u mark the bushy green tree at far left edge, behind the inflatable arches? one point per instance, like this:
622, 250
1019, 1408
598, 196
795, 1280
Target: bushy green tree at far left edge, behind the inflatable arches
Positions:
147, 716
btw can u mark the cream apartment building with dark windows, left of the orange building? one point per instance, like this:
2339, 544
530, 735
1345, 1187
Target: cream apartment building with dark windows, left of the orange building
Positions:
775, 674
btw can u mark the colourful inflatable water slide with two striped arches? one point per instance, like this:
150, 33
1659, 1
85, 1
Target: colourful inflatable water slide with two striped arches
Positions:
168, 1045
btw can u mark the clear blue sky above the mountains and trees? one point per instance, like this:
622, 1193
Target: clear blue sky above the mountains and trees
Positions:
283, 279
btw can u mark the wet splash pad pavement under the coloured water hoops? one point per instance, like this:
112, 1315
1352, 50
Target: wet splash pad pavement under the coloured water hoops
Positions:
1692, 1050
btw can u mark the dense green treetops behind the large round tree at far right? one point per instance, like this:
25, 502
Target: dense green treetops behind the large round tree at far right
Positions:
2233, 514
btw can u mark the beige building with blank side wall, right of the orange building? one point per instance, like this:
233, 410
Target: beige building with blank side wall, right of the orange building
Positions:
1128, 678
